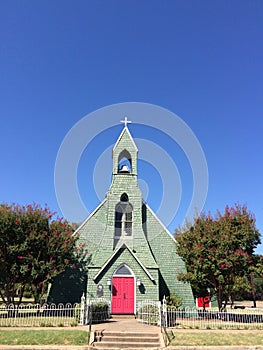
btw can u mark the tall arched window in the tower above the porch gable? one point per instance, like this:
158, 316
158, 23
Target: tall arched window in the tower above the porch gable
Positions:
123, 217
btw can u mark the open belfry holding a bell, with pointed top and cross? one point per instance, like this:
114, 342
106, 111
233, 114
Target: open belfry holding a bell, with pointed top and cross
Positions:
125, 153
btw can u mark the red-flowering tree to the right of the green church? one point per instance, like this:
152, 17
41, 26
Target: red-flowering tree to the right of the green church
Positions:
219, 250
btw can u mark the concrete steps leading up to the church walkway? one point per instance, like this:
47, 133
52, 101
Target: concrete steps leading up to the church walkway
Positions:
126, 340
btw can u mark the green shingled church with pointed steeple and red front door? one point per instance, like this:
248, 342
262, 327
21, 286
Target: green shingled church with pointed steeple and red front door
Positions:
132, 255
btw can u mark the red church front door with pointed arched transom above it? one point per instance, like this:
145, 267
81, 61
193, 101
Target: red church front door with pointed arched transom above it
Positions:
122, 291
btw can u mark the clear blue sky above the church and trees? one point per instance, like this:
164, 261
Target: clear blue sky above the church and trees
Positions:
202, 60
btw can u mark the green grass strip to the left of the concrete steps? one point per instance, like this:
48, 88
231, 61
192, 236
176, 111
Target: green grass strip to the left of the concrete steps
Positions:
43, 337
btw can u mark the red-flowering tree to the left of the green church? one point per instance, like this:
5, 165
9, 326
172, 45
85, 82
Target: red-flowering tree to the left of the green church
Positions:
34, 248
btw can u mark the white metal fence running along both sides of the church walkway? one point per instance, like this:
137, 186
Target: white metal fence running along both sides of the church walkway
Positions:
150, 312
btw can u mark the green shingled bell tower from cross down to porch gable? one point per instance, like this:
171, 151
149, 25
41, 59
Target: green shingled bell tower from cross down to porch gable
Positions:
124, 195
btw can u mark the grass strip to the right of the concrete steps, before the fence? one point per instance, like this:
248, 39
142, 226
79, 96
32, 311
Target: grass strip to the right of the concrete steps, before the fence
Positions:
222, 338
